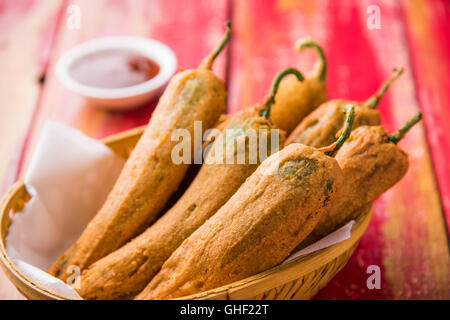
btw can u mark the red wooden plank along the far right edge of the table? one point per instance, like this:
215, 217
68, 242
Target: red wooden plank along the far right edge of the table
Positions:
428, 25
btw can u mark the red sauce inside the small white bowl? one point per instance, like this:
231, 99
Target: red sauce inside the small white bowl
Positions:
113, 68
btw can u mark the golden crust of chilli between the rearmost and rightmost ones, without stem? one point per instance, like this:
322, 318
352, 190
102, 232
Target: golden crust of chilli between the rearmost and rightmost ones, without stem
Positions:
319, 129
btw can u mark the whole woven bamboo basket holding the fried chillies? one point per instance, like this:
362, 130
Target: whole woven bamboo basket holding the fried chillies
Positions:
300, 278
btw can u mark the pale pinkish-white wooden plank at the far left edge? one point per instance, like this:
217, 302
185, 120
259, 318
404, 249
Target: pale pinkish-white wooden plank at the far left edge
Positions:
27, 30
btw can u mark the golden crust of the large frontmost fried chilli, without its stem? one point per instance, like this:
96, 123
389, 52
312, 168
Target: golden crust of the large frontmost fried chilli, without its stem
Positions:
257, 228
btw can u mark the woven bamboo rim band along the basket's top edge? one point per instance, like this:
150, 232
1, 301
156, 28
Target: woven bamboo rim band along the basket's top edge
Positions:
16, 197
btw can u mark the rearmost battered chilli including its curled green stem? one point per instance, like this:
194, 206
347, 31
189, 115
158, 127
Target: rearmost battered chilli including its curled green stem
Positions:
295, 100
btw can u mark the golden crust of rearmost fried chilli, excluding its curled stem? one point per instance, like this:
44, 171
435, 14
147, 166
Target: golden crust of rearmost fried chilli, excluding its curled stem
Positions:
295, 100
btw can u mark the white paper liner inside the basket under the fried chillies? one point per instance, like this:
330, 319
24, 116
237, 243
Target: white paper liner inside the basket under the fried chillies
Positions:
69, 178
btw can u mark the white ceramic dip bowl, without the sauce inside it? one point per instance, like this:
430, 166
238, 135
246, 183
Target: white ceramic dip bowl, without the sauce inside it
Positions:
119, 98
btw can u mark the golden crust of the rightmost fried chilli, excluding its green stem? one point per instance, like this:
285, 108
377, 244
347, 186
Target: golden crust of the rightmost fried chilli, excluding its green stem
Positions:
371, 165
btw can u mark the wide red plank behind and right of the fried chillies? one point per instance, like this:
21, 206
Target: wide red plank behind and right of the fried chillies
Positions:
407, 235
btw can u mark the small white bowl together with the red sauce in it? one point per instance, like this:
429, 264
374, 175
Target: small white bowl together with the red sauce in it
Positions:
117, 73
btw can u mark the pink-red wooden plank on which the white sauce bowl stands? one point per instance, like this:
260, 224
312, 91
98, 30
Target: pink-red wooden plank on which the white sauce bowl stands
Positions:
191, 28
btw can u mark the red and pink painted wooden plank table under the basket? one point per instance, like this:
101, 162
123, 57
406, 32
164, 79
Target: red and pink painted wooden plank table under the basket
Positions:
408, 235
